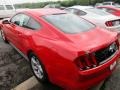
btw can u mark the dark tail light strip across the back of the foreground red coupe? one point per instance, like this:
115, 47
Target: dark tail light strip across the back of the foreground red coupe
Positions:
89, 61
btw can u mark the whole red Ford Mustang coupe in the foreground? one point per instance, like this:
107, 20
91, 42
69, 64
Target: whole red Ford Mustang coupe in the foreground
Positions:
62, 48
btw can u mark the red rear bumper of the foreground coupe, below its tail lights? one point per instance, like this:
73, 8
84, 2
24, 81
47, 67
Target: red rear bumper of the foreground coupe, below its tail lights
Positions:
90, 78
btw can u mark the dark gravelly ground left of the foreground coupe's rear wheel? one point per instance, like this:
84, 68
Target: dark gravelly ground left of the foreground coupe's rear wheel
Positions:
14, 69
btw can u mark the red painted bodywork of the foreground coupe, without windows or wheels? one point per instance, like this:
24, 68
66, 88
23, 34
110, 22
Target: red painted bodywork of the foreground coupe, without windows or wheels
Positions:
59, 51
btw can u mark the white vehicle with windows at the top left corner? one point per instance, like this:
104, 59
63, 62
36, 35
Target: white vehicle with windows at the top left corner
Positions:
6, 11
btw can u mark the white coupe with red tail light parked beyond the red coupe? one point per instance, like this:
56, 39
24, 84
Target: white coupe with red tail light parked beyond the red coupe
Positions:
96, 16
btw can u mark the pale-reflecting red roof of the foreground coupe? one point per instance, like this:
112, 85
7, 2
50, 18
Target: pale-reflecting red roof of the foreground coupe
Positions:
44, 11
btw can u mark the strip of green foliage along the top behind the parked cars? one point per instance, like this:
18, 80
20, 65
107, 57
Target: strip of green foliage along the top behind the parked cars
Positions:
65, 3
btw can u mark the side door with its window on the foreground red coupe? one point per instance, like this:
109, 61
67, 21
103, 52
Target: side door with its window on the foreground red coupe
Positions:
15, 31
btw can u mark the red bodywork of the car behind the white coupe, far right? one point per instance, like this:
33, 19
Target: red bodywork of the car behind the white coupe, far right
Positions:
113, 10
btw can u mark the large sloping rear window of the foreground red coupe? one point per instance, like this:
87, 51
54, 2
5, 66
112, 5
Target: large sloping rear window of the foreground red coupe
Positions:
69, 23
